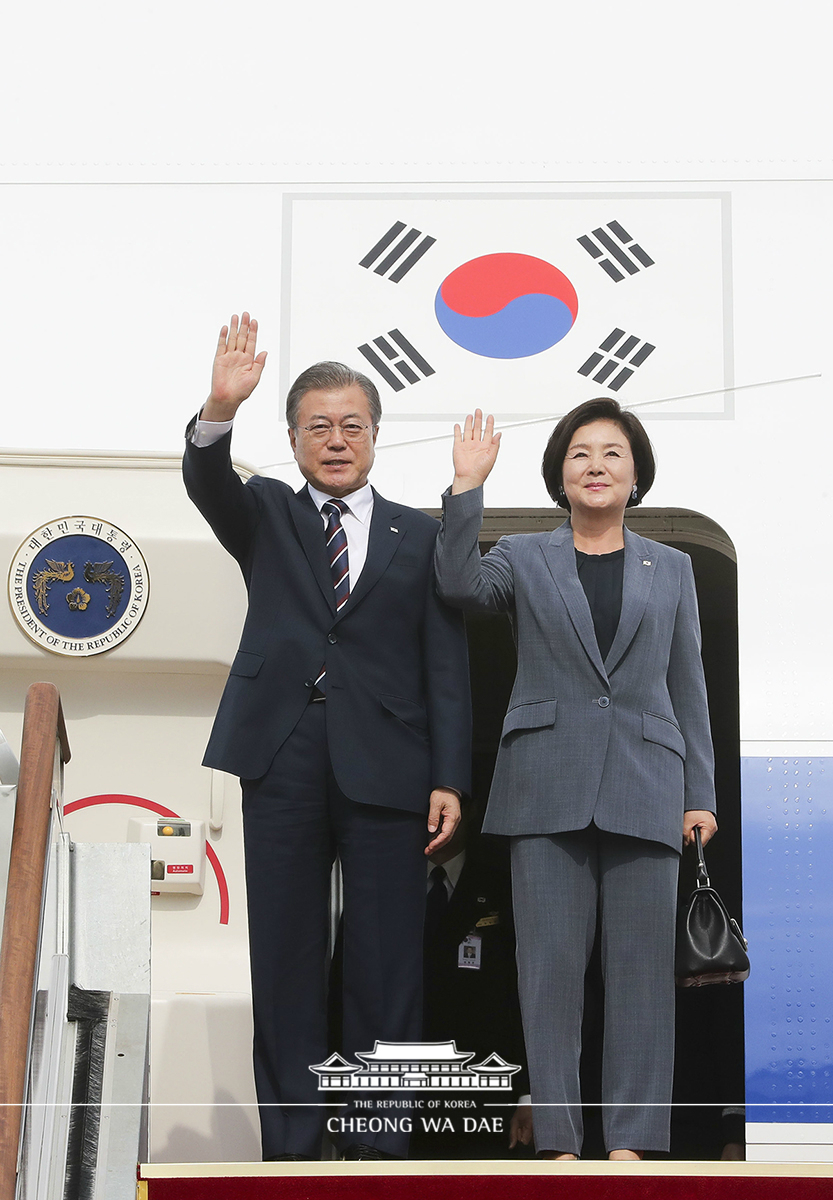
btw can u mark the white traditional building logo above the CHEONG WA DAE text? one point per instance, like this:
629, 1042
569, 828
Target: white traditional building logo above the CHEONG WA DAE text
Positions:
424, 1066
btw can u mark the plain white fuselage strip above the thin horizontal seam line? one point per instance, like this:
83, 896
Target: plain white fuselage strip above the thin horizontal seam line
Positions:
221, 91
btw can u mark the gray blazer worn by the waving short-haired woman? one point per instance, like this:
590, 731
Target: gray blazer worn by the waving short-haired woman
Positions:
625, 743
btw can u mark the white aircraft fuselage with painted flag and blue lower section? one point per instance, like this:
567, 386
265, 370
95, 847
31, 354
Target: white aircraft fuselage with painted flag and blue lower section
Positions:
358, 179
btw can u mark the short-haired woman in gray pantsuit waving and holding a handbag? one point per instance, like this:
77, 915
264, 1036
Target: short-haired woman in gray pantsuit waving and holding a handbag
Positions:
606, 764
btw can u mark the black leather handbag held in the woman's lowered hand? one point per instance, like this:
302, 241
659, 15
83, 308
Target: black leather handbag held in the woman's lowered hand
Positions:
711, 947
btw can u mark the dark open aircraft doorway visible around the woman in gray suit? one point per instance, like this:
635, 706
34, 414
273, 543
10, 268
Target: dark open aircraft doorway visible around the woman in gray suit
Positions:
710, 1021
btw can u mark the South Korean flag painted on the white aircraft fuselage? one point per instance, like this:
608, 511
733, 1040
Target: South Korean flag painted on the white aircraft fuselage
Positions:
525, 305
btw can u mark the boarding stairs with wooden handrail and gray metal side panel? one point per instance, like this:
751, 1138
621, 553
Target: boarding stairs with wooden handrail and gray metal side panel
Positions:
75, 986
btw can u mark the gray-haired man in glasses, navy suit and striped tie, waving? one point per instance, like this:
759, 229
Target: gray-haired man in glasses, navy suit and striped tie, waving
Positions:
346, 717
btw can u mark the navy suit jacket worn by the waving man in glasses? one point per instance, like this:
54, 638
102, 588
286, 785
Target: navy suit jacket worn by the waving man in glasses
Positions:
398, 692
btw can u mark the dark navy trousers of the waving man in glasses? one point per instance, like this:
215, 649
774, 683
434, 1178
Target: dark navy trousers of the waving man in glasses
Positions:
296, 819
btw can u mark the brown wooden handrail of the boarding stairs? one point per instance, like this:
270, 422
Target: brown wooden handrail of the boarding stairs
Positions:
43, 729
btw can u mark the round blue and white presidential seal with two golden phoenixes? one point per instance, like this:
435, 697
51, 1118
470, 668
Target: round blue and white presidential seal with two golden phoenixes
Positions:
79, 586
